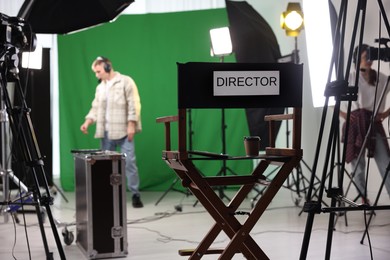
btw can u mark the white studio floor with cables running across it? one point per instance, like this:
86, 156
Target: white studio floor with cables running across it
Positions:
159, 231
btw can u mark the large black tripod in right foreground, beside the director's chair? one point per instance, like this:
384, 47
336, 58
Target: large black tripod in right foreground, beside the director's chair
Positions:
340, 90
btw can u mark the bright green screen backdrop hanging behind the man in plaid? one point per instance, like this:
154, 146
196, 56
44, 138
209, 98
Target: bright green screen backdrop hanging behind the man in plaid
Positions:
147, 48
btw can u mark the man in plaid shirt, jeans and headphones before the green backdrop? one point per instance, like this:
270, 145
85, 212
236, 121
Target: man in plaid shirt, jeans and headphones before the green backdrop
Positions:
116, 110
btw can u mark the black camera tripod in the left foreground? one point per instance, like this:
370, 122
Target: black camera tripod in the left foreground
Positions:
26, 147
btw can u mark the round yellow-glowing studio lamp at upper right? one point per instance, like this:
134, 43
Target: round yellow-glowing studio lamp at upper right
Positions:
292, 19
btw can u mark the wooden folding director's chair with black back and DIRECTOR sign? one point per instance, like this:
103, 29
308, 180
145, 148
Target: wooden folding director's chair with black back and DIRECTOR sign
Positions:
196, 91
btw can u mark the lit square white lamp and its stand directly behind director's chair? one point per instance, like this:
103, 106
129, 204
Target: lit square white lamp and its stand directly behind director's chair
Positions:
221, 46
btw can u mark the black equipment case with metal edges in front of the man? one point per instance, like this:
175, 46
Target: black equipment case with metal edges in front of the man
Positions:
100, 181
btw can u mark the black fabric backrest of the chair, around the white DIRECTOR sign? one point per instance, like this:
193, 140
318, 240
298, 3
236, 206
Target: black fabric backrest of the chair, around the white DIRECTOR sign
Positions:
200, 84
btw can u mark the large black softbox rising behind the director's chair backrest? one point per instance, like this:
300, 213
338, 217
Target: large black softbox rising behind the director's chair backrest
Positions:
253, 41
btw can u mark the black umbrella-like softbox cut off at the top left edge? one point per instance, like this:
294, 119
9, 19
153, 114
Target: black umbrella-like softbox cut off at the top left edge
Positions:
66, 16
